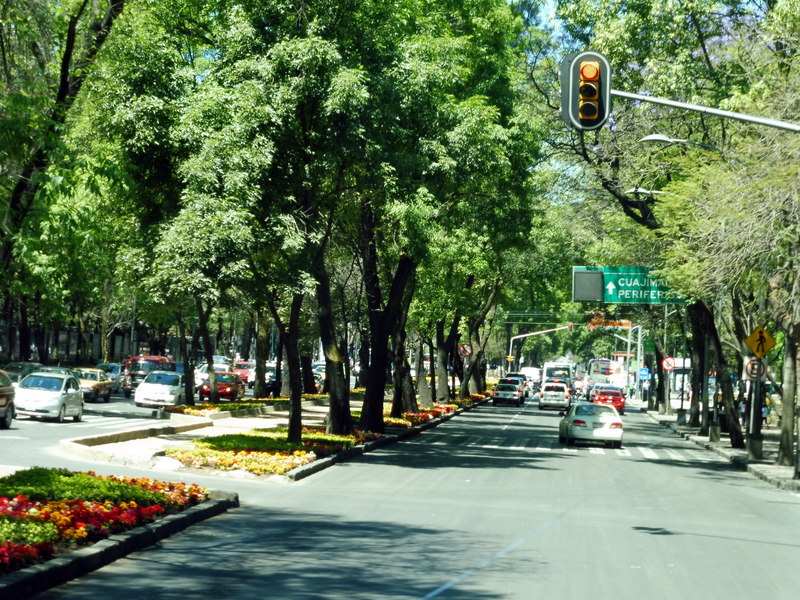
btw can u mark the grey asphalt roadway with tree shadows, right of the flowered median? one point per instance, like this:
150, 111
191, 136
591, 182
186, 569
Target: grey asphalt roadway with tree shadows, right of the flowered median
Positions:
486, 506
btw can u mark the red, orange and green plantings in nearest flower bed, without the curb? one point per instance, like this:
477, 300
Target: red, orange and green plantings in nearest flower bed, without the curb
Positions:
47, 512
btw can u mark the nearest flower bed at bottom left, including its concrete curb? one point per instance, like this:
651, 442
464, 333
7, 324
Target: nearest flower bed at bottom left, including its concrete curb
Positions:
56, 525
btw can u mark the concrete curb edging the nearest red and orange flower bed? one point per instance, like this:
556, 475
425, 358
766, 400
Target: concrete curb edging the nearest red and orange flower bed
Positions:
37, 578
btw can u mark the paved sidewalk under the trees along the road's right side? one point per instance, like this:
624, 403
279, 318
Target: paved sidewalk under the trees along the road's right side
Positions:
765, 469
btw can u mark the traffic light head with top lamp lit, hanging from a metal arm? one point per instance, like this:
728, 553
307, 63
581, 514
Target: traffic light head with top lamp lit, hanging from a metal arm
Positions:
585, 90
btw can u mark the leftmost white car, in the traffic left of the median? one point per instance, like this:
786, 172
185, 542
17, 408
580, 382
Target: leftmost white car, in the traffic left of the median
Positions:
49, 395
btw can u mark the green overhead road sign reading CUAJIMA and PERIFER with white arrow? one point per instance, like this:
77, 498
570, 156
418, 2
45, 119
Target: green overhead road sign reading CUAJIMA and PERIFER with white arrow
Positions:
620, 285
